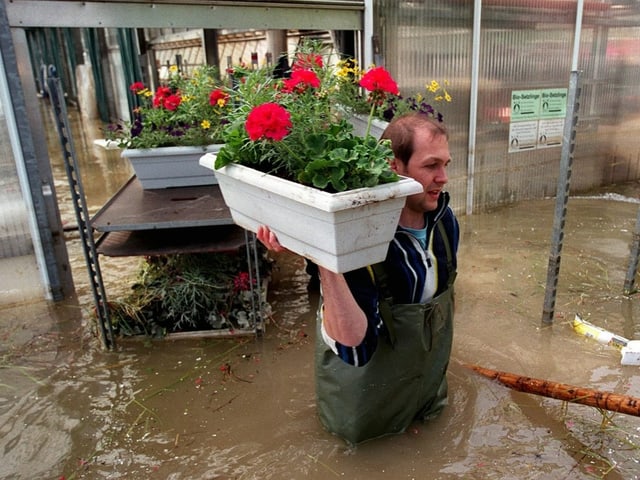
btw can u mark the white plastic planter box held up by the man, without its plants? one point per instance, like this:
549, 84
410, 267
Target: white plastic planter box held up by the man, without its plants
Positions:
340, 231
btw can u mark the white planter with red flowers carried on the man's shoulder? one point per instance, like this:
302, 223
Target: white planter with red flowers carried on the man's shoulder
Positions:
292, 161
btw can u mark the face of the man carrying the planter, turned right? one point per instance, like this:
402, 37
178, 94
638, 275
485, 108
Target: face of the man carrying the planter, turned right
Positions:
428, 166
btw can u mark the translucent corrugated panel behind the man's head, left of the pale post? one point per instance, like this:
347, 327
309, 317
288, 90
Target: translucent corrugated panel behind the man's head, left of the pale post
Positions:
425, 41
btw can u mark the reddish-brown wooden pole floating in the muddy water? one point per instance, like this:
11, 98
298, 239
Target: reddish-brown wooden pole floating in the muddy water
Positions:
562, 391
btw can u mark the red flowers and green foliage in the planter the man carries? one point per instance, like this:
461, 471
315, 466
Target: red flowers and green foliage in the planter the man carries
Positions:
292, 129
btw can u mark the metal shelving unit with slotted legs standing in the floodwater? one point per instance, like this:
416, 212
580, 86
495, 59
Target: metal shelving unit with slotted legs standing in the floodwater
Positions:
137, 222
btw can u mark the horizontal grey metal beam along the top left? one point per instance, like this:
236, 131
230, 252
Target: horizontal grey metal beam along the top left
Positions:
320, 15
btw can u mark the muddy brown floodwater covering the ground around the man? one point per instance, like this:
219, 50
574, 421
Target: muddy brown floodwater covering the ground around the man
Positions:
245, 408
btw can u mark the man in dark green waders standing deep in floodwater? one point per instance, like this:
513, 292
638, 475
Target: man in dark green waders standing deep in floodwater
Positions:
385, 331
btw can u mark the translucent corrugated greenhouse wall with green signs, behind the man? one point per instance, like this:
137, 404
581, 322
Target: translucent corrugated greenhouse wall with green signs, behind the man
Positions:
524, 46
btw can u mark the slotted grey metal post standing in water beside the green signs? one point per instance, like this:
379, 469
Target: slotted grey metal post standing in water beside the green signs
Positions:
566, 159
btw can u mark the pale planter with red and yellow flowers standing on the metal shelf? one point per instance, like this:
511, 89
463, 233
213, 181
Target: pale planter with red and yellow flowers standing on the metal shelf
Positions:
172, 127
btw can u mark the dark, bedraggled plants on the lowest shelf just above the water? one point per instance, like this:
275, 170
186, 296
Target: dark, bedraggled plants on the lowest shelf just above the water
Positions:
189, 292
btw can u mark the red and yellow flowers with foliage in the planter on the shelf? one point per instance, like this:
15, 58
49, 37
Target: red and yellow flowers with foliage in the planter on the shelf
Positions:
185, 111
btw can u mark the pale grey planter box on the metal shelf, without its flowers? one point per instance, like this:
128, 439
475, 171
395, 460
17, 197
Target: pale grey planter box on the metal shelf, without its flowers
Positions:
167, 167
